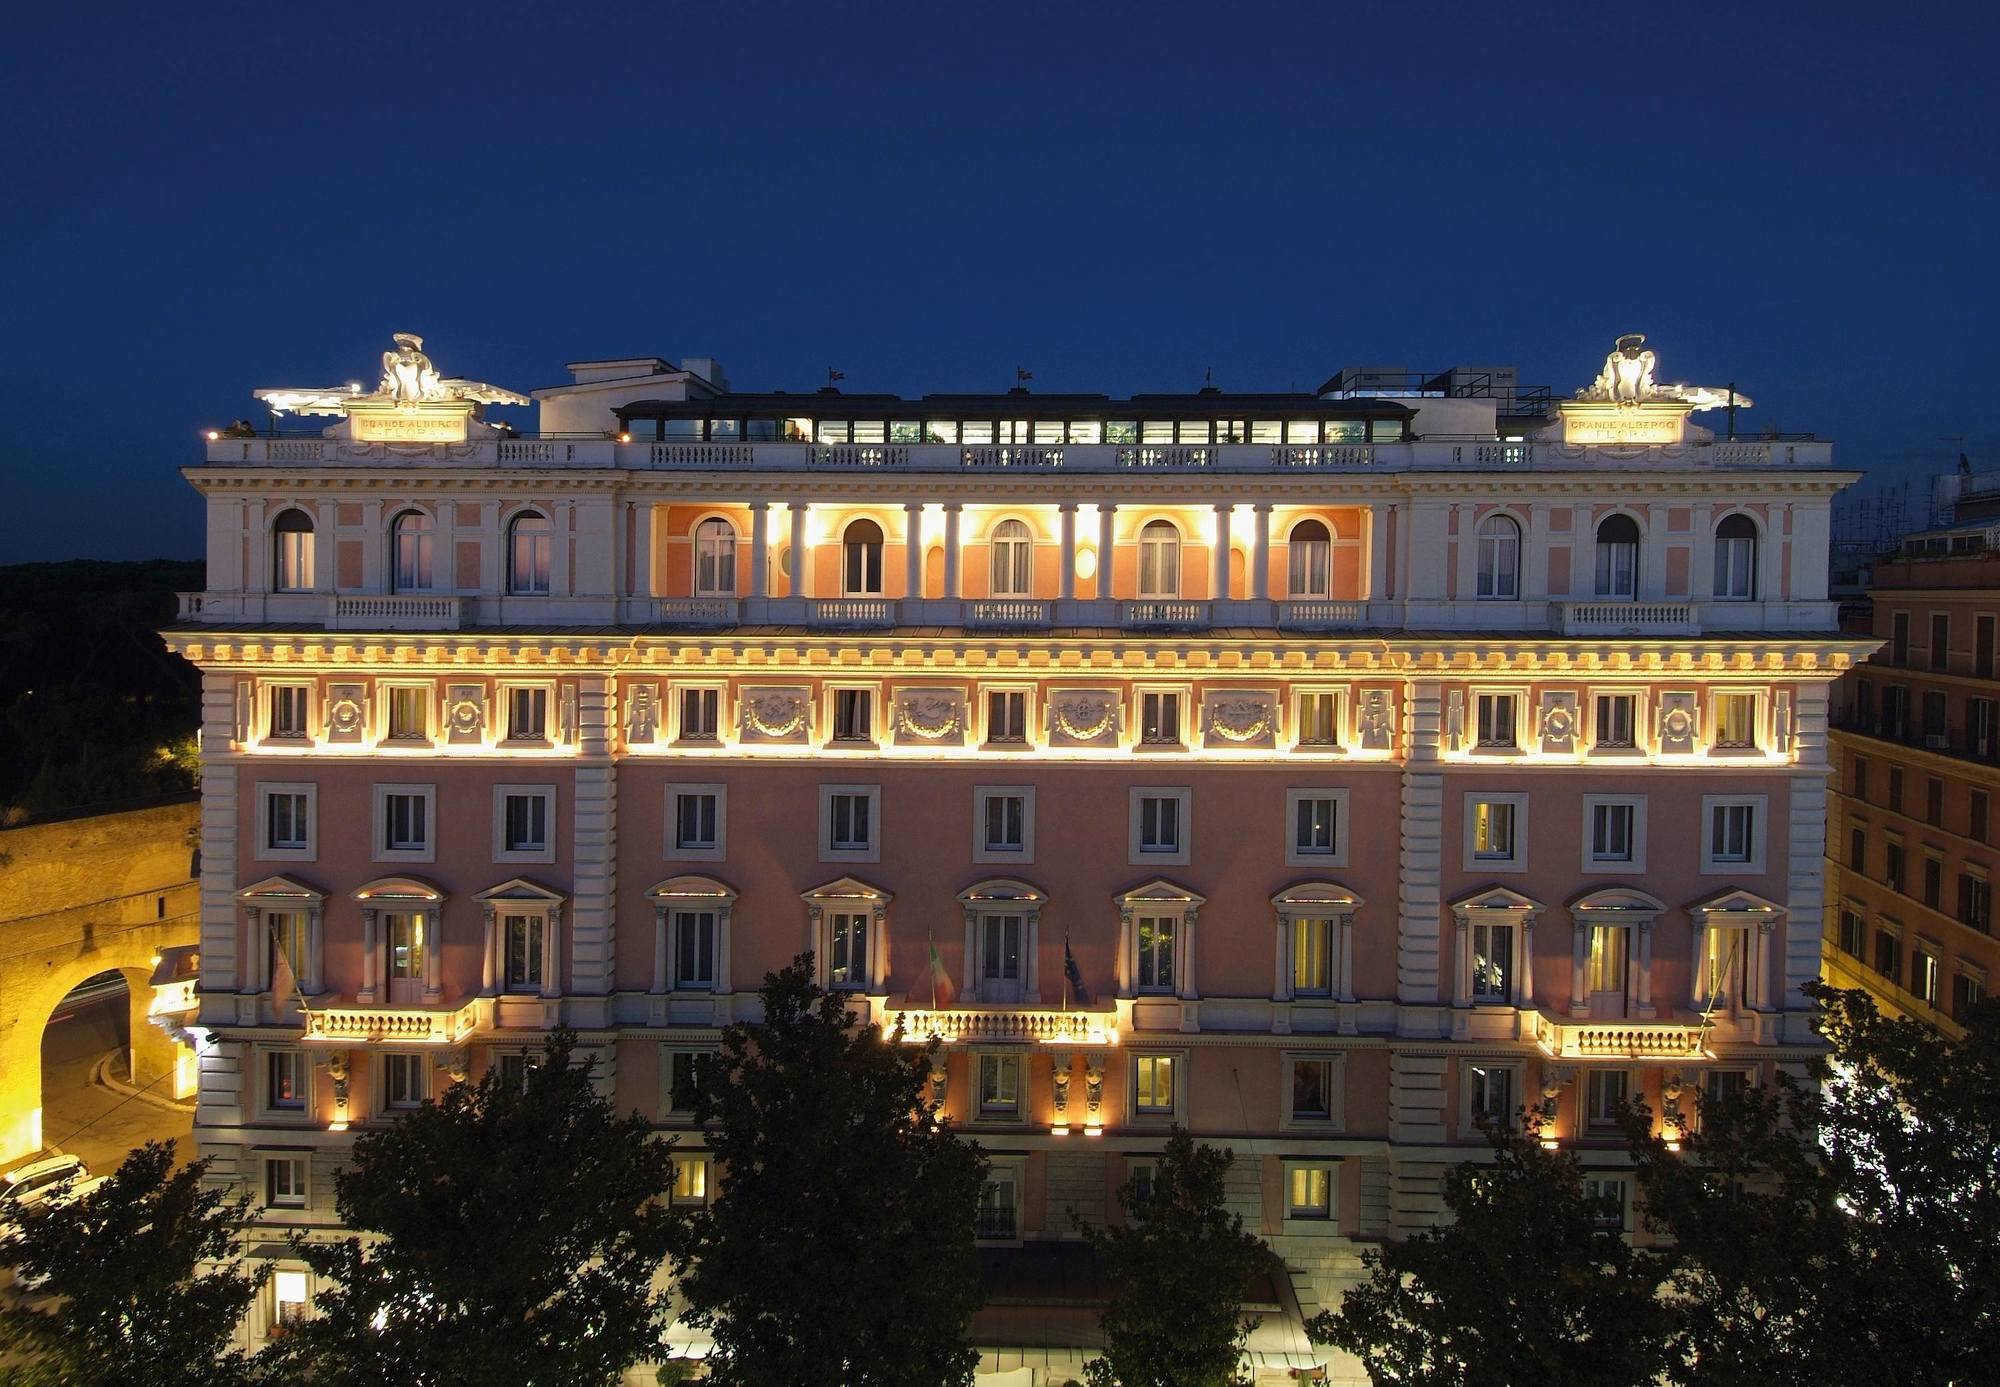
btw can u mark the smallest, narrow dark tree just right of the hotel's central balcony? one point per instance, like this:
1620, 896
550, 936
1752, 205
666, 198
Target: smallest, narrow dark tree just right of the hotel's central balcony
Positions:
1181, 1264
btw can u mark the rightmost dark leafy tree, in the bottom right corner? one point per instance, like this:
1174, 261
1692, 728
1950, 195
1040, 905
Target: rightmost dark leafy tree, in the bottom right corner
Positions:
1841, 1230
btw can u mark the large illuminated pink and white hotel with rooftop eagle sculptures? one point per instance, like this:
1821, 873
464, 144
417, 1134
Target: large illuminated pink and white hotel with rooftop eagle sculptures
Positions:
1383, 758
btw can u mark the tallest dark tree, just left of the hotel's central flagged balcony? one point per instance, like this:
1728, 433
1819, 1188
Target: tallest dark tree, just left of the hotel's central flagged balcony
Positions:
841, 1244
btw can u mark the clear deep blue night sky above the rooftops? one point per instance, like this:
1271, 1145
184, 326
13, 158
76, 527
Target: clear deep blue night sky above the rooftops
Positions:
211, 199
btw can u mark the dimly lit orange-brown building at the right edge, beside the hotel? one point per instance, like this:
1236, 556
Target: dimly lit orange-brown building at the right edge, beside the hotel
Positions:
1917, 758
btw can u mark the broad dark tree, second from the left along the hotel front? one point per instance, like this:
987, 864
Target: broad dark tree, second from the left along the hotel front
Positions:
513, 1236
